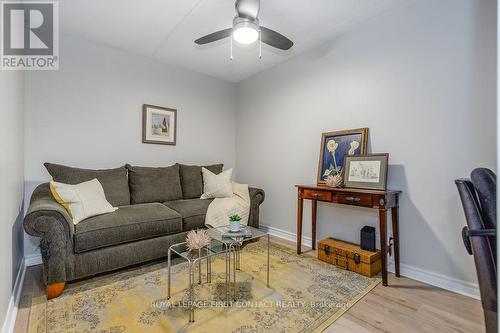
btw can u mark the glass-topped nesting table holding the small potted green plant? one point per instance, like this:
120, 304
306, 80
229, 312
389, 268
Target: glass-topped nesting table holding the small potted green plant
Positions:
234, 243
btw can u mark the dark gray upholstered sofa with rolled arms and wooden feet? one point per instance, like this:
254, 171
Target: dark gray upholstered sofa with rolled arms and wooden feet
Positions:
156, 208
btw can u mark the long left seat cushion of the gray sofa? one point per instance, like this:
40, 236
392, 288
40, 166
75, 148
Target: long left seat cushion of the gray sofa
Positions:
126, 224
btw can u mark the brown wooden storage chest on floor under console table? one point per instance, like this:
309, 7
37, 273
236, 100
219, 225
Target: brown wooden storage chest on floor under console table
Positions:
349, 256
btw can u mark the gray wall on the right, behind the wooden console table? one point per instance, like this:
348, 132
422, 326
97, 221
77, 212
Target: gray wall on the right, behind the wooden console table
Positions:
423, 79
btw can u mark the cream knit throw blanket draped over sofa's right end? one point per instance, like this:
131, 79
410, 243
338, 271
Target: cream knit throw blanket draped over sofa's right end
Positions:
220, 209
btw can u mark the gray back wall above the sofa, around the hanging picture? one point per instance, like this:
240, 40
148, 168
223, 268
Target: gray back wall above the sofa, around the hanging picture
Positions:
89, 113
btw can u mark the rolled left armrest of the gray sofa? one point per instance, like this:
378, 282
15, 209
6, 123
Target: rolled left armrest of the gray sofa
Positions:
44, 214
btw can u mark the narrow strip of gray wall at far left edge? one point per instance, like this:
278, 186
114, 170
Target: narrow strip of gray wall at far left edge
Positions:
11, 182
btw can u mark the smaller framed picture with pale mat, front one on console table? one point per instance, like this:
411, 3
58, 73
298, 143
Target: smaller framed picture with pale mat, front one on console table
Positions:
366, 171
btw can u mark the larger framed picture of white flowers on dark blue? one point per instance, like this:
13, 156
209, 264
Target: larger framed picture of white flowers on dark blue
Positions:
332, 155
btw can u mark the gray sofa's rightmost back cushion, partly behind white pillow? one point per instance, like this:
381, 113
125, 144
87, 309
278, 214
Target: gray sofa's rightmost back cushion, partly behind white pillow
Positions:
192, 180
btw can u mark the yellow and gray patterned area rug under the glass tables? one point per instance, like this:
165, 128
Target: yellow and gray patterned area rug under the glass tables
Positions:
305, 295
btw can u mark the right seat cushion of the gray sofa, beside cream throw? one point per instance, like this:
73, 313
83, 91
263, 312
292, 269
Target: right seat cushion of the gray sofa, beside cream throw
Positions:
193, 212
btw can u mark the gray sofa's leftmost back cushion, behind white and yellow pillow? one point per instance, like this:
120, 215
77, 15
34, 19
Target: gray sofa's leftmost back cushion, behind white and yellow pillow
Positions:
113, 181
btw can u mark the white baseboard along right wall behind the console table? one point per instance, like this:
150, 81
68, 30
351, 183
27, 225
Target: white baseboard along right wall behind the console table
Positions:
438, 280
